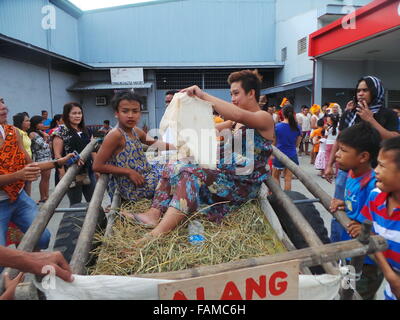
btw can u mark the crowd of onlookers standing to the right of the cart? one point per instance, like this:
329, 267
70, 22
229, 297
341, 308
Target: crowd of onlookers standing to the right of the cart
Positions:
359, 147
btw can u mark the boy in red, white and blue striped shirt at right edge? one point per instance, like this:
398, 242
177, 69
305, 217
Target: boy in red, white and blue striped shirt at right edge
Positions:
383, 209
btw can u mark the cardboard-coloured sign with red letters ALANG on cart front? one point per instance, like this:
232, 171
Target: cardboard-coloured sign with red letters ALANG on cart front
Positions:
278, 281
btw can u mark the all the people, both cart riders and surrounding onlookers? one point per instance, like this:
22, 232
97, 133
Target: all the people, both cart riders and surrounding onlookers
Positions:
359, 146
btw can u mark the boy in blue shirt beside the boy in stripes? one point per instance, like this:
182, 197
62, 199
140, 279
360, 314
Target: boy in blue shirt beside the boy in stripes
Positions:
358, 147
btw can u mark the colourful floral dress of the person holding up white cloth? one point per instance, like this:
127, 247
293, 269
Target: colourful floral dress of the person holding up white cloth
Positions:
236, 180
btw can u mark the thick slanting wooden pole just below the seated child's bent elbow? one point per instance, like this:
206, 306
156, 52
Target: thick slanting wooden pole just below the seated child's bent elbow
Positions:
84, 243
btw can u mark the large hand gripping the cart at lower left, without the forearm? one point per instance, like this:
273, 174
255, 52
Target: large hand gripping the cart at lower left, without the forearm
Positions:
34, 262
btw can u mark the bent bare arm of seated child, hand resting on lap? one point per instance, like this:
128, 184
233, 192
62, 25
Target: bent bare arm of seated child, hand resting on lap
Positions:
111, 144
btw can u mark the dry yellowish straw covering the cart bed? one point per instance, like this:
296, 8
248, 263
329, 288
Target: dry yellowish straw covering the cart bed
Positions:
244, 233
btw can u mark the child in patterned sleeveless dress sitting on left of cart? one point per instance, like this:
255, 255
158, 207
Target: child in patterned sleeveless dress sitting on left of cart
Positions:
122, 155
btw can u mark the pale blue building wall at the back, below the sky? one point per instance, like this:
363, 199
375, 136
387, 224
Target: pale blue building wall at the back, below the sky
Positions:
181, 31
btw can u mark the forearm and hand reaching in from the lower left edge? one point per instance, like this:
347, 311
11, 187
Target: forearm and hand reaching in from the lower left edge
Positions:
33, 262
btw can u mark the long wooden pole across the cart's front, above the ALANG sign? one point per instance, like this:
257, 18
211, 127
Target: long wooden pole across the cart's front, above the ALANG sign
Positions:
308, 257
